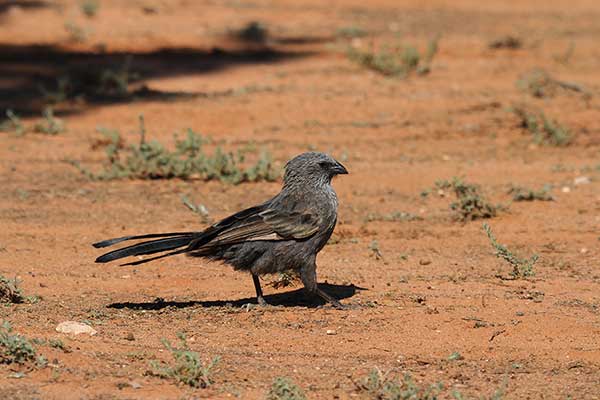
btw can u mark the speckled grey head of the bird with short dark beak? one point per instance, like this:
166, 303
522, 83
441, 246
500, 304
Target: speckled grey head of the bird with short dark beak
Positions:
312, 167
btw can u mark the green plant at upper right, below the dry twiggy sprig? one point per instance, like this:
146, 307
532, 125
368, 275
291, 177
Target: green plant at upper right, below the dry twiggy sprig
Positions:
544, 130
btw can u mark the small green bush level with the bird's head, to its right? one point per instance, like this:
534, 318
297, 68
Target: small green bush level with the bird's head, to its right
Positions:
470, 204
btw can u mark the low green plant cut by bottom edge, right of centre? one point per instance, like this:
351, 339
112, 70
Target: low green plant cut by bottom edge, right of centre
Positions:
379, 386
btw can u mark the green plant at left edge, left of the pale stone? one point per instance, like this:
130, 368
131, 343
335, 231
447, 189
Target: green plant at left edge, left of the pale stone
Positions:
16, 348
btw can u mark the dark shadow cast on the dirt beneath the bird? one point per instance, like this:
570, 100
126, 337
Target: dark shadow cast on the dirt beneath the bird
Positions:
294, 298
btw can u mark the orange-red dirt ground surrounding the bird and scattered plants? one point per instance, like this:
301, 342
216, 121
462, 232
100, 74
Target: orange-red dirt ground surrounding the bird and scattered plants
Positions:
436, 289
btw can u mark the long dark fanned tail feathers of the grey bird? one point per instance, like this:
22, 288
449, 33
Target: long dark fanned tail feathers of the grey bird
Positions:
149, 247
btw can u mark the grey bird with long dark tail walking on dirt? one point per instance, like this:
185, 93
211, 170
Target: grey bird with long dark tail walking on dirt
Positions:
284, 233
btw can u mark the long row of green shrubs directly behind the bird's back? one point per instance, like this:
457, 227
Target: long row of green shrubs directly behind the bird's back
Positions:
150, 160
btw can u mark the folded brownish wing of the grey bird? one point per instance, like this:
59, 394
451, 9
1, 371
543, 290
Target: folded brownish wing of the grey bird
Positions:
261, 223
